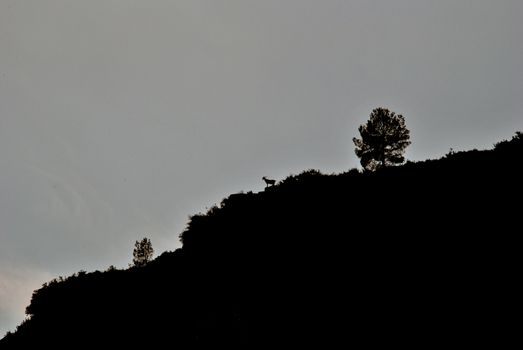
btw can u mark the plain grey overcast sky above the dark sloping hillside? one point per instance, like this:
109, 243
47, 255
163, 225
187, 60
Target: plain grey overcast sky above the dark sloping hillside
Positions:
120, 118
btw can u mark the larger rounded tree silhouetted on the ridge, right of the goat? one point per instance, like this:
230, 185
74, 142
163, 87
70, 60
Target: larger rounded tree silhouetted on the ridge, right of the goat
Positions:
384, 139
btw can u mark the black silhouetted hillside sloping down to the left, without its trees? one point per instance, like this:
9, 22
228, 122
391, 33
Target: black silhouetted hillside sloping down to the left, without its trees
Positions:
419, 255
